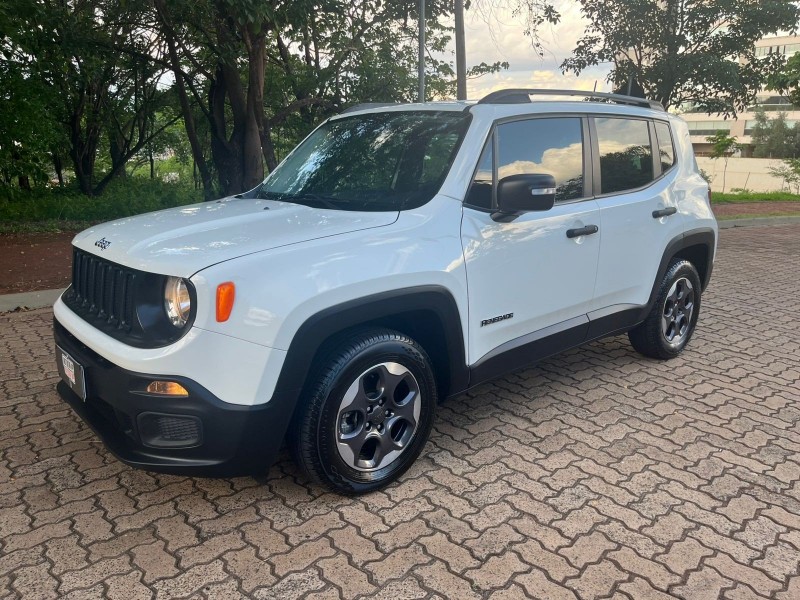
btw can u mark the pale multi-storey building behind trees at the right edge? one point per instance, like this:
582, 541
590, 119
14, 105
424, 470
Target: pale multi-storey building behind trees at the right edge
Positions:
702, 125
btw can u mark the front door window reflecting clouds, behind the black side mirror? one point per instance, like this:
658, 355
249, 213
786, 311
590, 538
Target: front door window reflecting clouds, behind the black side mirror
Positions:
547, 147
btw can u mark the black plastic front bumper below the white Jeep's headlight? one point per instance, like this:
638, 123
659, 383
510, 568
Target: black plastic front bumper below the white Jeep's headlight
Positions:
195, 435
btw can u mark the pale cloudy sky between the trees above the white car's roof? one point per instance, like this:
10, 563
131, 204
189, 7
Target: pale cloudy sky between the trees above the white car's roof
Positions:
499, 37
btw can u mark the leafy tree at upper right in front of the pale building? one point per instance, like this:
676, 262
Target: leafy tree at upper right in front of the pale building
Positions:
683, 51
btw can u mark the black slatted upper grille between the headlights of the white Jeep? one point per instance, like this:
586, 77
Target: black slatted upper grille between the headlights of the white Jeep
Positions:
102, 291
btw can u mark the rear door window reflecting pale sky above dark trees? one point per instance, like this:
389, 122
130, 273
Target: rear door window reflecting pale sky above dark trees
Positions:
626, 157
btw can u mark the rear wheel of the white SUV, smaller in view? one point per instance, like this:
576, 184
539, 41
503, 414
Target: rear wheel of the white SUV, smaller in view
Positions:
672, 320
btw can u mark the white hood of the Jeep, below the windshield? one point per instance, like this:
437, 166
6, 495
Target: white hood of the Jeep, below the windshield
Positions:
181, 241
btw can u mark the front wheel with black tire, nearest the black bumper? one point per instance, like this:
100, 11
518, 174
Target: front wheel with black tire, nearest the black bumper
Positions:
367, 414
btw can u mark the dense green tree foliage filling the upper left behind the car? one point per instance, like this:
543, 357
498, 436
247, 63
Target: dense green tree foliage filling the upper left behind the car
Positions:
214, 90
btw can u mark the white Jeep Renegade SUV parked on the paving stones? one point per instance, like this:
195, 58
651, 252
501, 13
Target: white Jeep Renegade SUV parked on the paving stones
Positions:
398, 256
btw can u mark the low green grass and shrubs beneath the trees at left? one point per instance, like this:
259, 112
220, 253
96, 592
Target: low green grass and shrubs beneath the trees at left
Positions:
122, 198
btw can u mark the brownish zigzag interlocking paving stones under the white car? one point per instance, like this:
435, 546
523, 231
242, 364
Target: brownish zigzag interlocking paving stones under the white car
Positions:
596, 474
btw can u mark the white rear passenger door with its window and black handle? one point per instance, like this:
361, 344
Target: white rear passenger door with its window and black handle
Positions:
638, 211
